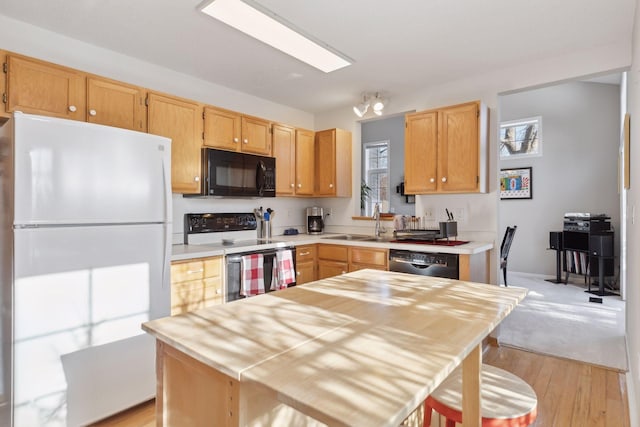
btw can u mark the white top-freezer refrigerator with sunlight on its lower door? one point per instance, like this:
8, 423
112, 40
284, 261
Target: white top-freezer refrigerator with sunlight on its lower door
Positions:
85, 259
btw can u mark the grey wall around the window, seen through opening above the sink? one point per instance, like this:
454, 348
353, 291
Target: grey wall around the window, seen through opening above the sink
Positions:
391, 129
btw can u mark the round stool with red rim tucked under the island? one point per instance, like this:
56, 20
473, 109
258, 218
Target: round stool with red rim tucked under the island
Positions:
507, 400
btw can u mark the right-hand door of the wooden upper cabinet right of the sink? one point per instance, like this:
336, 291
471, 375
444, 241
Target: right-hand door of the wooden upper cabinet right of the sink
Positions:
458, 148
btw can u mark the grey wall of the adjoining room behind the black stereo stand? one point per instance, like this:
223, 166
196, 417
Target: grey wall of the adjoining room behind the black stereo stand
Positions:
577, 172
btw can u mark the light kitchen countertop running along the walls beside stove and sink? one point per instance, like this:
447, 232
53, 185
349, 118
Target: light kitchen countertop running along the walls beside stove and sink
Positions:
184, 252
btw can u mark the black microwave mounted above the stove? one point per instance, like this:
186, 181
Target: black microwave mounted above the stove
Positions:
228, 173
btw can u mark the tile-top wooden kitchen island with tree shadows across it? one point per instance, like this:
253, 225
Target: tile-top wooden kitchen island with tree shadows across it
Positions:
361, 349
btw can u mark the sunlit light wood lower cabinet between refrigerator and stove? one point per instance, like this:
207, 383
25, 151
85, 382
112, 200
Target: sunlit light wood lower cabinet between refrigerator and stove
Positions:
195, 284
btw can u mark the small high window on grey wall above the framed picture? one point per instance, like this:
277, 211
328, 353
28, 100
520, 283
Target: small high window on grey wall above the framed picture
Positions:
521, 138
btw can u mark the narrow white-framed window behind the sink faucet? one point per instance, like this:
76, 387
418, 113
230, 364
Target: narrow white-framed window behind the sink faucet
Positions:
376, 163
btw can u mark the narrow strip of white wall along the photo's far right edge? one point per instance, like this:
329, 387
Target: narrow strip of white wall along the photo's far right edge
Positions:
633, 231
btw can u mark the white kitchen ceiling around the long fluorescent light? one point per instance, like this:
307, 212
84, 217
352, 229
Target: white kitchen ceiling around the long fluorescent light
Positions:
398, 46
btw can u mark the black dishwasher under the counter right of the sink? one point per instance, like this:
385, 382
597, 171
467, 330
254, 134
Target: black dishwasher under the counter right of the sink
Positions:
424, 263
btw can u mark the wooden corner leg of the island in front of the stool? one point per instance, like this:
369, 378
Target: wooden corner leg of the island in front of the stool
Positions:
471, 401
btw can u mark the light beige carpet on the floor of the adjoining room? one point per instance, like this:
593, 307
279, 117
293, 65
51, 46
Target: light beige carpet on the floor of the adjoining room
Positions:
559, 320
